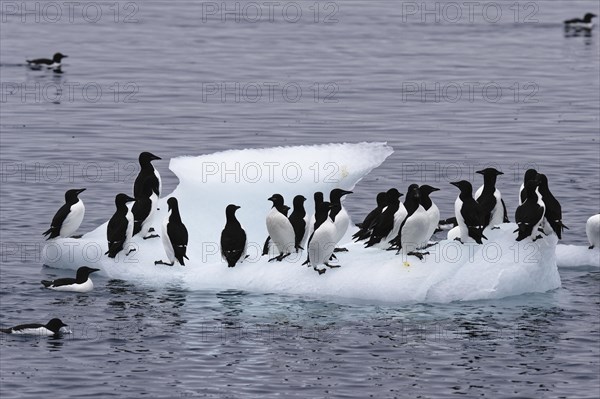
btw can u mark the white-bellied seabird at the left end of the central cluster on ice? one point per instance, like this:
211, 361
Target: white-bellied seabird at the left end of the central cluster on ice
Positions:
280, 229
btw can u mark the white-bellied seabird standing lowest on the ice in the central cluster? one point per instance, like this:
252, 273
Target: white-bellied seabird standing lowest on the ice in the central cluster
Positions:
321, 243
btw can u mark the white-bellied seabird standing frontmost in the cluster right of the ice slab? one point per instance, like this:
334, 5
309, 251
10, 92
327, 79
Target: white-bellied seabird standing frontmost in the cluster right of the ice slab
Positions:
414, 227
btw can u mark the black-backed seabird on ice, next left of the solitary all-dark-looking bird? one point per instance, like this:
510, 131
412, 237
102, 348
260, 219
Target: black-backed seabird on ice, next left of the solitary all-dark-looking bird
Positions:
174, 235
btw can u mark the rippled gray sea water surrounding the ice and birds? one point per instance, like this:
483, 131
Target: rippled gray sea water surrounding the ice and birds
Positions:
451, 86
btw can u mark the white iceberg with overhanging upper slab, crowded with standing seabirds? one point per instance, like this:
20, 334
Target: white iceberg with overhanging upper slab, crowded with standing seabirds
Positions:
207, 184
